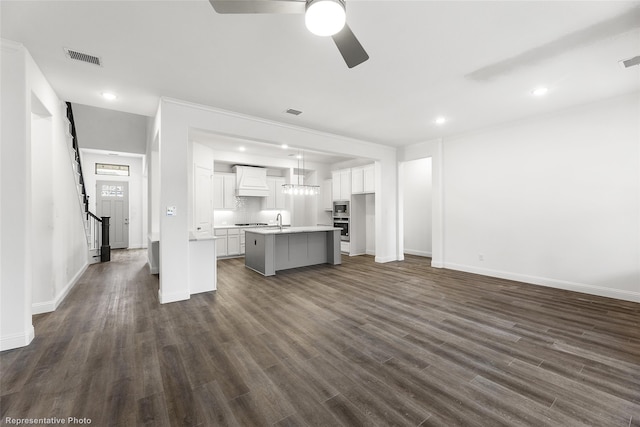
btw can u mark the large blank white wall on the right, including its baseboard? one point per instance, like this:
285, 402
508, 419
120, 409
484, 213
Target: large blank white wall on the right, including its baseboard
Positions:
552, 200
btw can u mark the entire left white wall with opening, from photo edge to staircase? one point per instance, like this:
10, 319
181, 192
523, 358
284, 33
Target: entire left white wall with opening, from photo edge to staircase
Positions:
26, 91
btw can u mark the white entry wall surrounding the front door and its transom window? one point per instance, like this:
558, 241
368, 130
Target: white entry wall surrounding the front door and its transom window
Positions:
137, 188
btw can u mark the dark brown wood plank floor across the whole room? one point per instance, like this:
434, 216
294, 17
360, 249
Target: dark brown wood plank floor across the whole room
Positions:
397, 344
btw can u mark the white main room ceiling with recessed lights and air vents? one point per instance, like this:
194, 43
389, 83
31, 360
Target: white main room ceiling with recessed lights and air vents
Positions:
473, 62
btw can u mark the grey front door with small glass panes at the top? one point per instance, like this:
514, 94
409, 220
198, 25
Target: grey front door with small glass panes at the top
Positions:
113, 201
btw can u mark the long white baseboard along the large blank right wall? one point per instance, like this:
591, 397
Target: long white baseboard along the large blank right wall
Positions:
552, 283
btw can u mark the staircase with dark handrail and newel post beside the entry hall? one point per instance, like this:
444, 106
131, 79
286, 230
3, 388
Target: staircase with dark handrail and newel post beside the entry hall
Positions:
96, 228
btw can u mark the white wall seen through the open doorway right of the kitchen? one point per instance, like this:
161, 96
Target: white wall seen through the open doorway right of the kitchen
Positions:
417, 207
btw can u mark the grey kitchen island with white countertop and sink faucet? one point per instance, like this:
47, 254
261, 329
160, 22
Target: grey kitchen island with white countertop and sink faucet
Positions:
272, 249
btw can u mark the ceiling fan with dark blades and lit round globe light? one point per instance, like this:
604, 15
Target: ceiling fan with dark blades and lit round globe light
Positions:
322, 17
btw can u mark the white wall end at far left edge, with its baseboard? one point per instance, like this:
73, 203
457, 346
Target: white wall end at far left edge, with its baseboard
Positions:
16, 328
